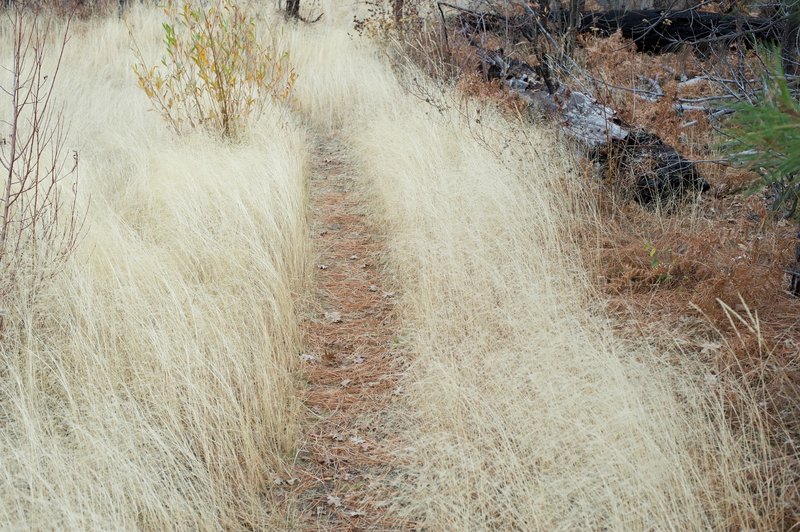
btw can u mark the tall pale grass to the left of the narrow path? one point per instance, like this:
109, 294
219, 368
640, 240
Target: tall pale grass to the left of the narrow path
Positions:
150, 384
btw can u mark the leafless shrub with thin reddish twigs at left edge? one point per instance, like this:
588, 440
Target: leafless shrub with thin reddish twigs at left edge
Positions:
39, 226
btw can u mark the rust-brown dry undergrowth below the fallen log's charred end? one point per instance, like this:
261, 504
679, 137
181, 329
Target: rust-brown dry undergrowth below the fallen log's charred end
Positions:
710, 279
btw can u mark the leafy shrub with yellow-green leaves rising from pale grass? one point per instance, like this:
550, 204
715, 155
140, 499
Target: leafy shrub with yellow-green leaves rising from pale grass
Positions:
217, 72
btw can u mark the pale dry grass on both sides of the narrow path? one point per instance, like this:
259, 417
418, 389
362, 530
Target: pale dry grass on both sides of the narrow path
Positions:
150, 385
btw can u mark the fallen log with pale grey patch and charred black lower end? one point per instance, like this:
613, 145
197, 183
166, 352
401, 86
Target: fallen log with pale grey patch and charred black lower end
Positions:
656, 170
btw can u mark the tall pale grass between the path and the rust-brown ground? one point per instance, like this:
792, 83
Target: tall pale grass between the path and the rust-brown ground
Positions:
523, 409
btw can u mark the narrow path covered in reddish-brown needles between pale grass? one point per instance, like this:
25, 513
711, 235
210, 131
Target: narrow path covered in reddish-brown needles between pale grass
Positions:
349, 361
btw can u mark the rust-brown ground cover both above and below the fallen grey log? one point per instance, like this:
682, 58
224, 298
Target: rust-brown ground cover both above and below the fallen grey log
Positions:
711, 276
